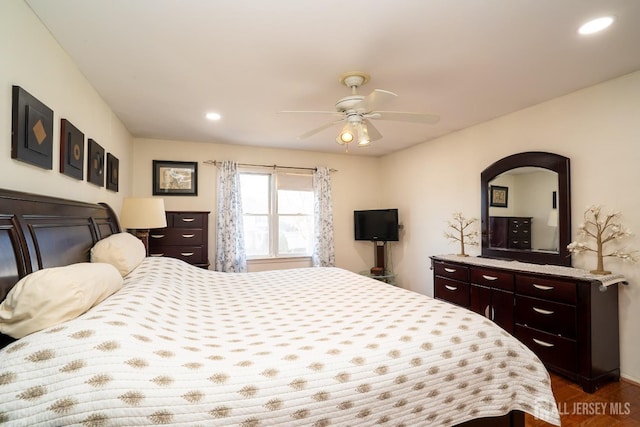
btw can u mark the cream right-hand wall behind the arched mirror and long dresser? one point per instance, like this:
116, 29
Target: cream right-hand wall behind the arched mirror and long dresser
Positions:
597, 128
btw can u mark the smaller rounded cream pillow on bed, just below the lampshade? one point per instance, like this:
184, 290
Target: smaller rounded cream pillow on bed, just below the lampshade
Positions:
123, 250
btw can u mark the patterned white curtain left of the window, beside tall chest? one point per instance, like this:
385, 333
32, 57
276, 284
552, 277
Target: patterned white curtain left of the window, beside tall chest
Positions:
230, 254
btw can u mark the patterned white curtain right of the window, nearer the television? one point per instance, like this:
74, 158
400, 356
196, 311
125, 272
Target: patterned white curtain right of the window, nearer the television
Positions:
323, 250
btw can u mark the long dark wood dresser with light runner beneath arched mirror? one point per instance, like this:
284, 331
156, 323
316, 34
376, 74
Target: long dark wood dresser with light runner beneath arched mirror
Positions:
567, 316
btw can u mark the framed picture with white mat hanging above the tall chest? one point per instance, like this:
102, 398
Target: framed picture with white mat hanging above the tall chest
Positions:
175, 178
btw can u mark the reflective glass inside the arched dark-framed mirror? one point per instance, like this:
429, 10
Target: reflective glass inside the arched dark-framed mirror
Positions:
523, 210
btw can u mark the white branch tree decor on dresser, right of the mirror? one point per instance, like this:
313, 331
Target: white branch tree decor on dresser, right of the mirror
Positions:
604, 228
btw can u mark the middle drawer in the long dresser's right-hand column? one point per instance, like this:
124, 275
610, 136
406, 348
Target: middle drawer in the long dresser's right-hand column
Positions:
547, 316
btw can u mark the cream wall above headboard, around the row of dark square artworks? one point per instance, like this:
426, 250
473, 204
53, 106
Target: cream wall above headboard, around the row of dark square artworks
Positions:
32, 59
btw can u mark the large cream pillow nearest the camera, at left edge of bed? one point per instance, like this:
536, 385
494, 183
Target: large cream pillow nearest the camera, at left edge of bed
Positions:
54, 295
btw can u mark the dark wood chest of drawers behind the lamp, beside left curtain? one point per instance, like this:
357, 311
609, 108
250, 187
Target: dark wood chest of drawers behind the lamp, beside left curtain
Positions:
185, 237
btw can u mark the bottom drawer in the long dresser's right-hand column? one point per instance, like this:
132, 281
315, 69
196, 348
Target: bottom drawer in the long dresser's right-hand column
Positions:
553, 350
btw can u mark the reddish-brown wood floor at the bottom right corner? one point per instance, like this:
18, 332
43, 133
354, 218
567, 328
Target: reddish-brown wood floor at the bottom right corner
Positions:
614, 405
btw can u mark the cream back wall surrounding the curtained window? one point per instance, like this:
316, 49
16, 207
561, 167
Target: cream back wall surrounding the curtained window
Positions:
355, 186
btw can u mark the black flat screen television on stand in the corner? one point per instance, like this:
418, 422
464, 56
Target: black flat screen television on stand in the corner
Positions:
376, 224
